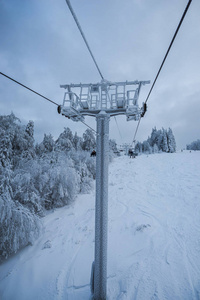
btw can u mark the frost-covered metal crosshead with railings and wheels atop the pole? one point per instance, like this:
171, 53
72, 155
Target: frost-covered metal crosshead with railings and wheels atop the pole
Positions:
114, 98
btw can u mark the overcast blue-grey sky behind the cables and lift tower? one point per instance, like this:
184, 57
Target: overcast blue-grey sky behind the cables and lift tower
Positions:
41, 47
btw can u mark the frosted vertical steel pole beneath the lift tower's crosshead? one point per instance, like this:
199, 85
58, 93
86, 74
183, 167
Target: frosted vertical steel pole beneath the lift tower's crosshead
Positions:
101, 209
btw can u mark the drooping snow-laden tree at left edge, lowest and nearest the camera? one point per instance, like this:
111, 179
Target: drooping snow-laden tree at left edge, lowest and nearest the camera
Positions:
18, 226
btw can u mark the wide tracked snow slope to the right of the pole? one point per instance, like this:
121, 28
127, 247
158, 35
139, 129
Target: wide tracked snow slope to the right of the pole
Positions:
153, 197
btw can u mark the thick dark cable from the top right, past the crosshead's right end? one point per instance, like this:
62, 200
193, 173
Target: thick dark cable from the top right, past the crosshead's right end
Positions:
168, 50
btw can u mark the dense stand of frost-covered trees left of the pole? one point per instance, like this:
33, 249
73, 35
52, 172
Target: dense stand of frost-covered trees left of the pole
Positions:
36, 178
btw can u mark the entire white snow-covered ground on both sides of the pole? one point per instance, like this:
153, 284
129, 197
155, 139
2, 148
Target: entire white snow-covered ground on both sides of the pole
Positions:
153, 237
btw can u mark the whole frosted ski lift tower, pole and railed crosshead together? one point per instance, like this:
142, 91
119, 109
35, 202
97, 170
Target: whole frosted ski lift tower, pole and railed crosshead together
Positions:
102, 101
